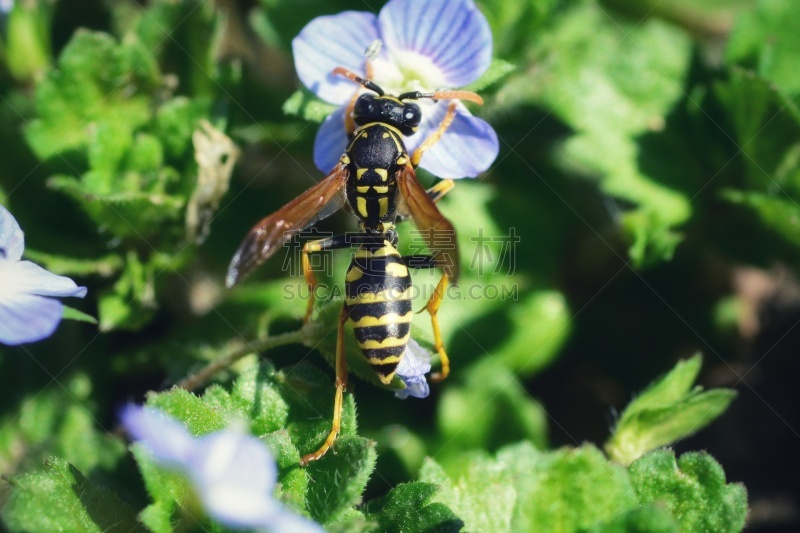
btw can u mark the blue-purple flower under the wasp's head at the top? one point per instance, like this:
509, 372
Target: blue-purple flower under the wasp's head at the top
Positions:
427, 45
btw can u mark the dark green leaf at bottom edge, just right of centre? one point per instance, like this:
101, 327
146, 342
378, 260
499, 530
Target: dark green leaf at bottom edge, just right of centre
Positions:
408, 508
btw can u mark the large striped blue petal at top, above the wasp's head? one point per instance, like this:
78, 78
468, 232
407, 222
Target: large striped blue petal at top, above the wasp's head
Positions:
454, 34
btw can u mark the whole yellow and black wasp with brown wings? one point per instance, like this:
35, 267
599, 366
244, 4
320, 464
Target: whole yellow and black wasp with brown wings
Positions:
376, 180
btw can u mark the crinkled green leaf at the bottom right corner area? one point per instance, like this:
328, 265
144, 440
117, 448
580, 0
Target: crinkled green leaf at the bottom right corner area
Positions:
693, 489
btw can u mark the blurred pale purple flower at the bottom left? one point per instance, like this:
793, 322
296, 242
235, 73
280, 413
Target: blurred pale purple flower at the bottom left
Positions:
233, 473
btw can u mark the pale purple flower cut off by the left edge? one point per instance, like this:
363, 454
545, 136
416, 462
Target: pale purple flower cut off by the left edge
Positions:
26, 312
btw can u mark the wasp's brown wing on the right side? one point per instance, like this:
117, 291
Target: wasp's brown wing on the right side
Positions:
438, 232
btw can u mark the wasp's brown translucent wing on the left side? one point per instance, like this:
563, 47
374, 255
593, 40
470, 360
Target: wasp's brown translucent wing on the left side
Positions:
271, 233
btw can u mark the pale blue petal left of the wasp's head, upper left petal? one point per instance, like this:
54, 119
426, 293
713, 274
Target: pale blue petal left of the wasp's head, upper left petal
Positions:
329, 42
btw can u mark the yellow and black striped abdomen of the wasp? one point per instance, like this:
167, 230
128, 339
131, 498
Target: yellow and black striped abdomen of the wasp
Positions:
378, 299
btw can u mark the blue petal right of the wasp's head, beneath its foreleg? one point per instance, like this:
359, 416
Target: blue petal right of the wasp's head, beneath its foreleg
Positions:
468, 147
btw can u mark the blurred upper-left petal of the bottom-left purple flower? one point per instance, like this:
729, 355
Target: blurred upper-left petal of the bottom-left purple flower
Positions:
163, 436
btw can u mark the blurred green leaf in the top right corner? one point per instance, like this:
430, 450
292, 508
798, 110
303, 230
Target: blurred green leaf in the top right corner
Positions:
766, 38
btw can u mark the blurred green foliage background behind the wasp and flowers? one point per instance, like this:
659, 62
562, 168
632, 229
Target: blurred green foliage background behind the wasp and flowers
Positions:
649, 166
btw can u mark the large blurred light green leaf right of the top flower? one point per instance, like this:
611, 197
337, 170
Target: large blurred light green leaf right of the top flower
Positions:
611, 81
